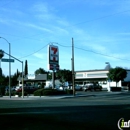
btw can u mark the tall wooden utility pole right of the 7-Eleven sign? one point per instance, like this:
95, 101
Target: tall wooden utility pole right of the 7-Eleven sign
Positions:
73, 73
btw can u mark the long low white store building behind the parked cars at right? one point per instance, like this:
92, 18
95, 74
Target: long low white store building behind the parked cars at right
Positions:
100, 76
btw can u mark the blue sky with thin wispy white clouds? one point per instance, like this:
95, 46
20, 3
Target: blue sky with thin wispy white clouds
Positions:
100, 29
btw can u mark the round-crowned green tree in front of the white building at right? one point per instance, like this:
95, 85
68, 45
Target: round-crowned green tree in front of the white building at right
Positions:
117, 74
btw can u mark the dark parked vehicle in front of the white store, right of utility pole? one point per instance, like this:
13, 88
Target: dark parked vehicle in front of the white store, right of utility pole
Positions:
92, 86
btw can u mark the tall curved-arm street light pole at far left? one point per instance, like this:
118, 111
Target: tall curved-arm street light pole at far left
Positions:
9, 66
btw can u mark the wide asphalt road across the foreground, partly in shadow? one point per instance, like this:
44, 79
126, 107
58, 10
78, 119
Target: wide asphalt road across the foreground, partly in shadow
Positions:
95, 111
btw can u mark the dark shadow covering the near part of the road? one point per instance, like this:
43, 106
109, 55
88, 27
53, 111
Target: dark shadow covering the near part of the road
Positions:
64, 118
